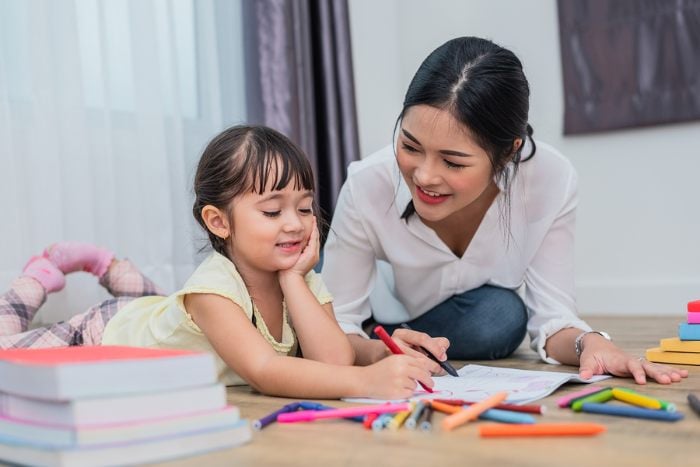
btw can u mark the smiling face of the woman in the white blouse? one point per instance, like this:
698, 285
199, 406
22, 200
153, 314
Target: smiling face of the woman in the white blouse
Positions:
443, 166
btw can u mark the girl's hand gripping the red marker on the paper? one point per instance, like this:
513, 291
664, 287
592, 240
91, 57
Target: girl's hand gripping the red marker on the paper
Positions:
395, 377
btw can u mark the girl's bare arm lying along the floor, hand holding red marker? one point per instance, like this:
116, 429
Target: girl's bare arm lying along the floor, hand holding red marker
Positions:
246, 352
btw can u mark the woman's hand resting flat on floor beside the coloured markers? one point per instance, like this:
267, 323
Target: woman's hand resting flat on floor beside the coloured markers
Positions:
601, 356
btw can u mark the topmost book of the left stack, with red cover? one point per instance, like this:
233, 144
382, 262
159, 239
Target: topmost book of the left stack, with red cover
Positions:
64, 373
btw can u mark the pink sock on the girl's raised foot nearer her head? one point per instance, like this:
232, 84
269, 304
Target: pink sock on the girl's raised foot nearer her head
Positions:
76, 256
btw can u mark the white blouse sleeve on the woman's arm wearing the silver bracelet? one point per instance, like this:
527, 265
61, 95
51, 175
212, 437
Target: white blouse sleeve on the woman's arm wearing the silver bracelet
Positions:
549, 279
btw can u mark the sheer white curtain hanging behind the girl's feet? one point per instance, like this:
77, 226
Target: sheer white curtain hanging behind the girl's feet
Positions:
105, 107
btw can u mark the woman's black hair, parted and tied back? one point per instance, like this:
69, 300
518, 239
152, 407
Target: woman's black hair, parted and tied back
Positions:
483, 86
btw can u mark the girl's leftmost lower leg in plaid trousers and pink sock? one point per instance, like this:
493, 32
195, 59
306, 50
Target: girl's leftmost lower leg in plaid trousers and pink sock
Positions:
27, 293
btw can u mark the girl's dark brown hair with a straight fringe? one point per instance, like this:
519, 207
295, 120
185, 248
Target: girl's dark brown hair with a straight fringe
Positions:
246, 159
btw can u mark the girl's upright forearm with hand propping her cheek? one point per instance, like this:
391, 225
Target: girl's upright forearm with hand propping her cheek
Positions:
318, 332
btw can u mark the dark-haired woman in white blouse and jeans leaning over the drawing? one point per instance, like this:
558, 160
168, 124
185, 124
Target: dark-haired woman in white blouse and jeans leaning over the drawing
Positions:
465, 227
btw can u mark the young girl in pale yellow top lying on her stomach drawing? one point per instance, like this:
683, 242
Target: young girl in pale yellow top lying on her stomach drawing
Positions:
255, 302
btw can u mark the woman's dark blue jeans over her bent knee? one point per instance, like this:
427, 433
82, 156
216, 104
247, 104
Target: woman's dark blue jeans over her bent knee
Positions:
482, 324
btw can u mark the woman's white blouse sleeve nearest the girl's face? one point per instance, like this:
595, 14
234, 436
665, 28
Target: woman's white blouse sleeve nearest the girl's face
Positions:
349, 264
